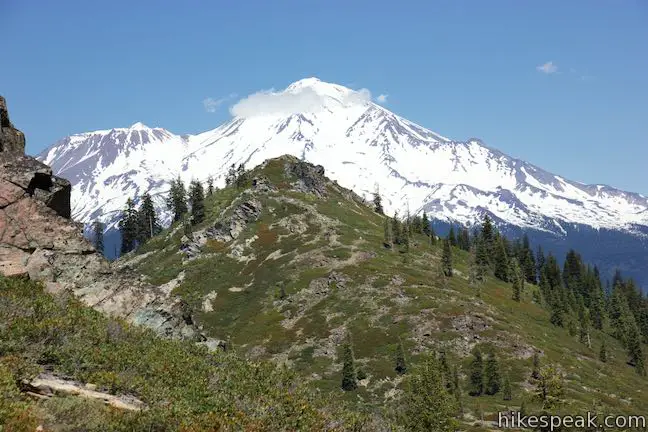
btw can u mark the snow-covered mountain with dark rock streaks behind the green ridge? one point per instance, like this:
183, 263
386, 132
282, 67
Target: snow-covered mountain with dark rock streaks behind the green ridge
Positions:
361, 145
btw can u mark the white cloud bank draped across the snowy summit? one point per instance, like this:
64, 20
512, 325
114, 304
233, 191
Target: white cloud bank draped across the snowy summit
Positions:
304, 99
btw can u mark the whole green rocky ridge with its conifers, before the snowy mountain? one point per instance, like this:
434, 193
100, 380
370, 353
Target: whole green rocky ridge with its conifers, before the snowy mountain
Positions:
286, 265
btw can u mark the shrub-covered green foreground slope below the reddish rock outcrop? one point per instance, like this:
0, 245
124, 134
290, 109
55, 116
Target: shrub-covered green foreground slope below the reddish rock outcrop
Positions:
184, 387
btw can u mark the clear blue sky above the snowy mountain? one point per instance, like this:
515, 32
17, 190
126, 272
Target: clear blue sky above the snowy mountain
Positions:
461, 68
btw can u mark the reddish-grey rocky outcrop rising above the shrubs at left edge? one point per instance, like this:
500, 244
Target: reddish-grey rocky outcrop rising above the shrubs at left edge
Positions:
38, 240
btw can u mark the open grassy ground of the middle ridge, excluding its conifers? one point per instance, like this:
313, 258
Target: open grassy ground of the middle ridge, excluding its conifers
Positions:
384, 296
